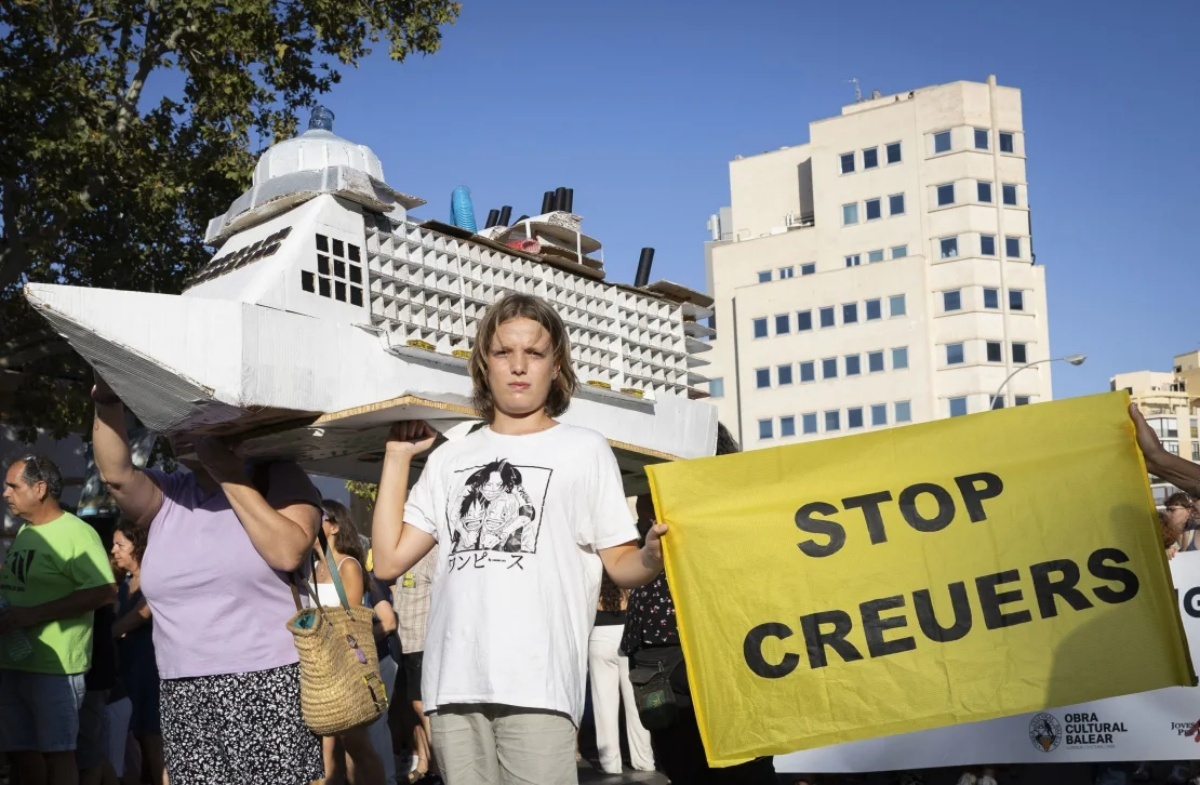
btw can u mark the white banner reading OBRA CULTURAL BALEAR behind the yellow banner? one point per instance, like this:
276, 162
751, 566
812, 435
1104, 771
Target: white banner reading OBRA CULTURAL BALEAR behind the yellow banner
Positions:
1148, 727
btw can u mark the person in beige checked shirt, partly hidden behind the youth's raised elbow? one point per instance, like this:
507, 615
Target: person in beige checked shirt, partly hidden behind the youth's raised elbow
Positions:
412, 597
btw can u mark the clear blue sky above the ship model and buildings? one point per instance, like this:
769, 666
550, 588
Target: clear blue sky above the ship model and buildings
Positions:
640, 107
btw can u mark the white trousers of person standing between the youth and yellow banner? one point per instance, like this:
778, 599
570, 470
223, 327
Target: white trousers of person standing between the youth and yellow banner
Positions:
609, 673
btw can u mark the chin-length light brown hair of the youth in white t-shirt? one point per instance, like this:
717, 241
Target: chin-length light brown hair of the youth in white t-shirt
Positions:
518, 307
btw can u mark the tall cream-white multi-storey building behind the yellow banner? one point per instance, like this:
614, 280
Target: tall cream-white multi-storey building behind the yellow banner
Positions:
881, 274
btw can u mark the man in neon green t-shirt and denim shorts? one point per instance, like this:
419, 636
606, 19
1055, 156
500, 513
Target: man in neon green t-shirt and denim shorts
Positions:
55, 578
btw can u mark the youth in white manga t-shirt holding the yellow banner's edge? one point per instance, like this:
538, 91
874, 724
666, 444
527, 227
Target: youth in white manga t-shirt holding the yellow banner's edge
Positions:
529, 513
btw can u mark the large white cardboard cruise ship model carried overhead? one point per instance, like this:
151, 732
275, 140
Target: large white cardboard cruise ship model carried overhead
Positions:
329, 313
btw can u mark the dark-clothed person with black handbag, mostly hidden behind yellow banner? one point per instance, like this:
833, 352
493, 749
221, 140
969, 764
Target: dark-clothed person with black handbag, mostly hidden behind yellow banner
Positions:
652, 640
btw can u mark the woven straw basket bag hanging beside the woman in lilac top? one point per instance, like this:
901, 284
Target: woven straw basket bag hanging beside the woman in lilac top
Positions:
340, 685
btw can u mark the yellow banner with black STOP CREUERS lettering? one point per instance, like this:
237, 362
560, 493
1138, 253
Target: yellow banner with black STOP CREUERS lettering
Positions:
919, 577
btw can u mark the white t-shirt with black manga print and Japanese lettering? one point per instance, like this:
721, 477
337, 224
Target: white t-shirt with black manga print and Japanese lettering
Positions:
519, 522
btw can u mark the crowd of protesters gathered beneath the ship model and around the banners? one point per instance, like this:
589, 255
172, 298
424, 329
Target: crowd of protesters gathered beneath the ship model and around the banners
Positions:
158, 648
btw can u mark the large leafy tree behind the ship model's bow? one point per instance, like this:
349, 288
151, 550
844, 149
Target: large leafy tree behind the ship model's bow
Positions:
100, 185
